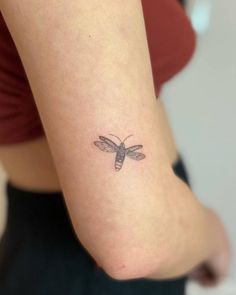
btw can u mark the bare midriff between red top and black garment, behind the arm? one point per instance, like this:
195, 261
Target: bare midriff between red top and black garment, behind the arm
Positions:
30, 165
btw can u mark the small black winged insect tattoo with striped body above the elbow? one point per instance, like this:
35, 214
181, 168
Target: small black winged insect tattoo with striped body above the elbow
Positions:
108, 146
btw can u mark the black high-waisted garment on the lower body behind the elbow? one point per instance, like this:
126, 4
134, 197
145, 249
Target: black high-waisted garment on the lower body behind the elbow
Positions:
40, 255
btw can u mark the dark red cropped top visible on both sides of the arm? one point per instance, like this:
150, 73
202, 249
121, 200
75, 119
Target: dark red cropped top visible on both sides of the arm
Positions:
171, 43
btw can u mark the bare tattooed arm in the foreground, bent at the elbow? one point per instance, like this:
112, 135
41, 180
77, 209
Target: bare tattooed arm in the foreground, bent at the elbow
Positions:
89, 69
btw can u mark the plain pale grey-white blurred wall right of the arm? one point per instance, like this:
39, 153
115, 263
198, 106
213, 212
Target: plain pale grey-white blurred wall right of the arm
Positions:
201, 103
